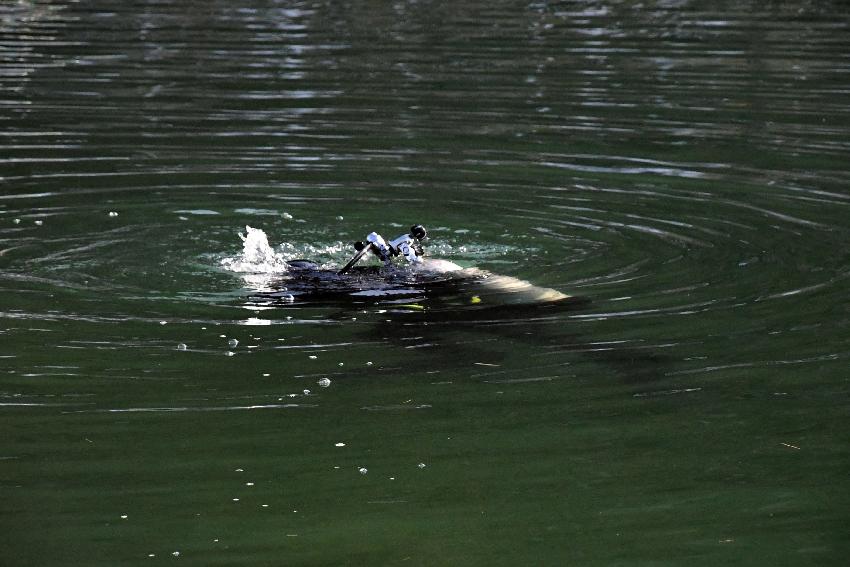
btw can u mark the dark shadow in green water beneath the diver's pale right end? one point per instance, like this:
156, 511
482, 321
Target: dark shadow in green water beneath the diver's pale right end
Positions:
497, 332
